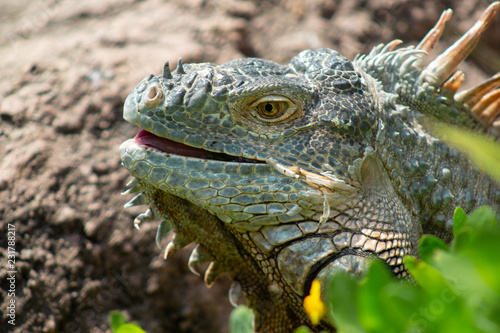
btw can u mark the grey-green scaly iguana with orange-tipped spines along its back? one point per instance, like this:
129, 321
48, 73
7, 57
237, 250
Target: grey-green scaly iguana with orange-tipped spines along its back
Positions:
284, 174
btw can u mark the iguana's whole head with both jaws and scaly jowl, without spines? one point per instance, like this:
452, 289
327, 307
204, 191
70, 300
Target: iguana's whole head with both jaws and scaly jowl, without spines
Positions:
281, 155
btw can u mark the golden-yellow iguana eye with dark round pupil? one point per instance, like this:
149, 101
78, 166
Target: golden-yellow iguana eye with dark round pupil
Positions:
272, 108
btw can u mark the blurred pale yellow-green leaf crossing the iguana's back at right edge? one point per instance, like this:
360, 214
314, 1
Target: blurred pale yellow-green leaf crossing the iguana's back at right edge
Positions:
482, 150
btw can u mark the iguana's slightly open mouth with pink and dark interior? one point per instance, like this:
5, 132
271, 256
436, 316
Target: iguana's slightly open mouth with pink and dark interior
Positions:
171, 147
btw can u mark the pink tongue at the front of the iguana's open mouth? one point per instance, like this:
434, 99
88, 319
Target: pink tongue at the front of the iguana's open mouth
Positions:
149, 139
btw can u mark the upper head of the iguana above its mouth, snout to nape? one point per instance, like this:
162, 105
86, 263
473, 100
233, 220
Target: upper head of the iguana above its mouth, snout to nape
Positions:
317, 113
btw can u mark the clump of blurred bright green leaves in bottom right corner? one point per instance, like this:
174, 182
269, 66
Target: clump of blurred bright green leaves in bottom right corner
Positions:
457, 287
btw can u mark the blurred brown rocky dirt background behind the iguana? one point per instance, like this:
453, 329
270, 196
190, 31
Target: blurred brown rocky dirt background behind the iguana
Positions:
66, 67
